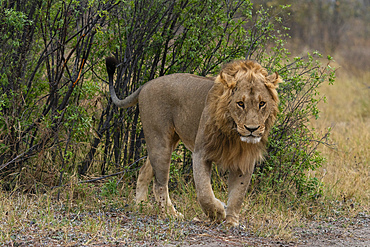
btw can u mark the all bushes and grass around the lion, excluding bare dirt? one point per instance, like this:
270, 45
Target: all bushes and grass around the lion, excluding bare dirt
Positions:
66, 150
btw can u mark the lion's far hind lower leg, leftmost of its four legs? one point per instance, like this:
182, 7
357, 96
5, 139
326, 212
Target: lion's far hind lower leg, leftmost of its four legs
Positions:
143, 181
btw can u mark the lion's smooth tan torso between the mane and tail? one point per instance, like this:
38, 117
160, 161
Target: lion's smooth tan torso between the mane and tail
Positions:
175, 101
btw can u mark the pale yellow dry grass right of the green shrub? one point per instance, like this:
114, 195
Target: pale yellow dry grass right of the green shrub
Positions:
346, 173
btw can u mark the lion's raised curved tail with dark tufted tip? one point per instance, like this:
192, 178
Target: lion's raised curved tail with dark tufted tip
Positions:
129, 101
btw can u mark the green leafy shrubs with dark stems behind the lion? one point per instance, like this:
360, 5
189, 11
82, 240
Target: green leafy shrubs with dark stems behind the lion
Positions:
56, 116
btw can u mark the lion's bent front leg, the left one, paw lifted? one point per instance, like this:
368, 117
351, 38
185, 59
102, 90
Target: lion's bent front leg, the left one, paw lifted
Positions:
211, 206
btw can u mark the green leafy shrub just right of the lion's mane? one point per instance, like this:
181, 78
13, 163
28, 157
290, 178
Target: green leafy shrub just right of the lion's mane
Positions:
292, 147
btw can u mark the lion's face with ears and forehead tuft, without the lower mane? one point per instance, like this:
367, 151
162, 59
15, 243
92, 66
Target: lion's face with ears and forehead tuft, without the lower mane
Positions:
251, 98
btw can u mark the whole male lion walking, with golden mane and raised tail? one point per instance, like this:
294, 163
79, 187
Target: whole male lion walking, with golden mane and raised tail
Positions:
224, 120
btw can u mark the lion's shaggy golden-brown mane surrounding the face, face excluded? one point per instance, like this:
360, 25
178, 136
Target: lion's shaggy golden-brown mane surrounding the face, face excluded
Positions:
222, 142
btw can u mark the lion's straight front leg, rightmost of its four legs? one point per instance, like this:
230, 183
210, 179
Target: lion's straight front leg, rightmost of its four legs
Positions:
238, 184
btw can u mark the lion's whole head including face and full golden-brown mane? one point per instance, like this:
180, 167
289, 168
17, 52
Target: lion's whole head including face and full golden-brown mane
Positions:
243, 105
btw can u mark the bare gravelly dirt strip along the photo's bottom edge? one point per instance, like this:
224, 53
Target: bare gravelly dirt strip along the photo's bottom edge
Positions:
151, 231
